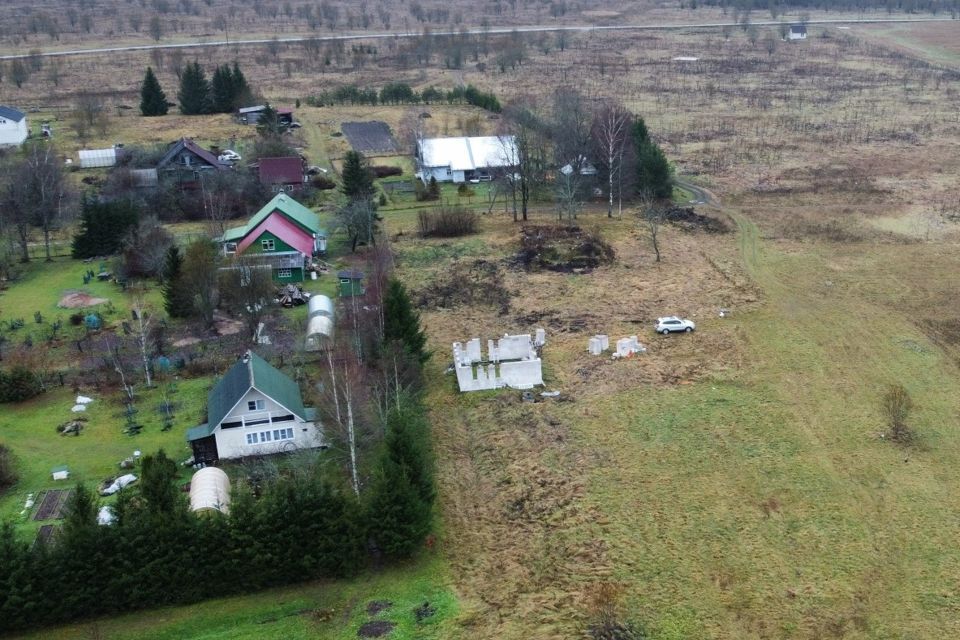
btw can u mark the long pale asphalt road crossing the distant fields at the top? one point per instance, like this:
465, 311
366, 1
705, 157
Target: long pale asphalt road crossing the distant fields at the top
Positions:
493, 31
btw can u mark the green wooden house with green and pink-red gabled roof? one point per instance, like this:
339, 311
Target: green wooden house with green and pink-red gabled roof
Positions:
284, 234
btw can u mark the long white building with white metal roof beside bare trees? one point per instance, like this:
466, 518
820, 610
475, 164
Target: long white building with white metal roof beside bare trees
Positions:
462, 159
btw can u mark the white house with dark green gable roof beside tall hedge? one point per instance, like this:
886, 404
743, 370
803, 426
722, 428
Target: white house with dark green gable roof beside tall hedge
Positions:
254, 410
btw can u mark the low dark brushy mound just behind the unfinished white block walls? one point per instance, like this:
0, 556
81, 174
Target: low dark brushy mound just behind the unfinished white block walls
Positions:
472, 283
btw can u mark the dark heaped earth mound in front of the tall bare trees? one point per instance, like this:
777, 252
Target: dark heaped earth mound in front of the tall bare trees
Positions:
566, 249
